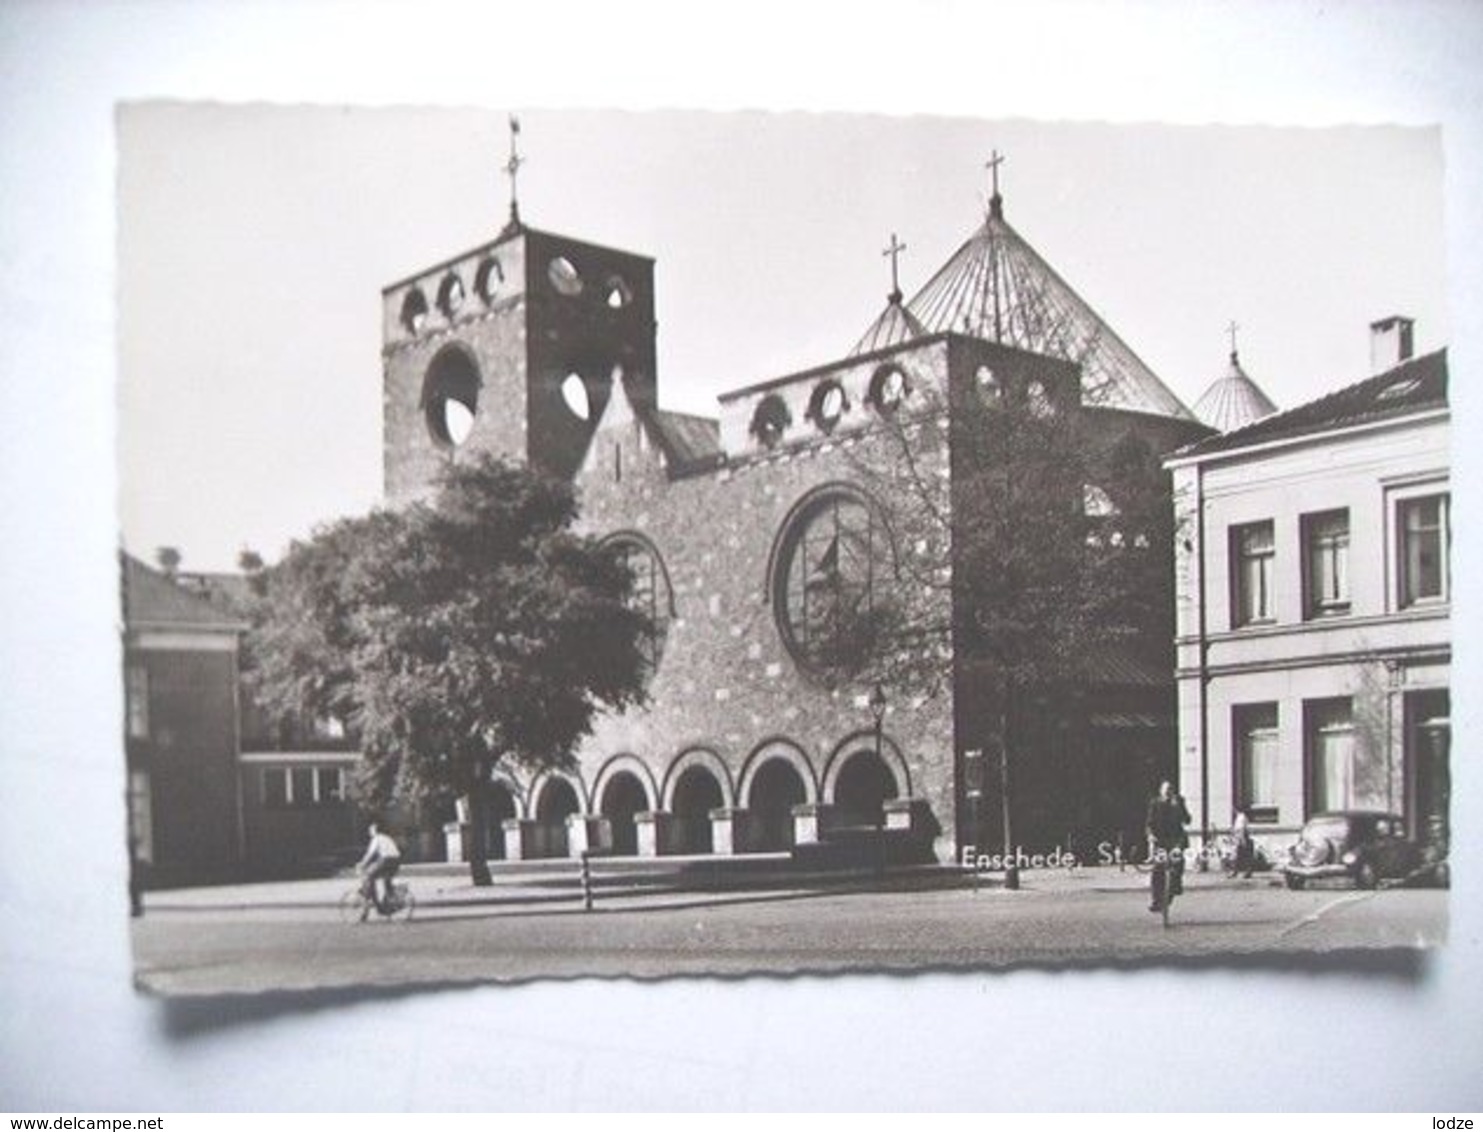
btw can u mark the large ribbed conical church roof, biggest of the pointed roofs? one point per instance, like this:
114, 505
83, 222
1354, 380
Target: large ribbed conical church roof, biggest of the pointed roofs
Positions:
997, 287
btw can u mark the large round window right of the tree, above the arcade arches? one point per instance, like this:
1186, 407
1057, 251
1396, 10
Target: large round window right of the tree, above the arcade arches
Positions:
833, 566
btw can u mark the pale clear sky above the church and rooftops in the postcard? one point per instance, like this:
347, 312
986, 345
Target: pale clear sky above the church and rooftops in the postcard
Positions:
254, 243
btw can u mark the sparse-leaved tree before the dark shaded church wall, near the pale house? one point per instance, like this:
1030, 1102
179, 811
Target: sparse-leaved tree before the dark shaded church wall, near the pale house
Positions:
1028, 548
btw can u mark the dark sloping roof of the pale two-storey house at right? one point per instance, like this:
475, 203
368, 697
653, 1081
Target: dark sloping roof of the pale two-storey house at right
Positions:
1411, 388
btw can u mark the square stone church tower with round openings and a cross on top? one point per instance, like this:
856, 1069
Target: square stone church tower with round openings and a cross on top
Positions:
511, 349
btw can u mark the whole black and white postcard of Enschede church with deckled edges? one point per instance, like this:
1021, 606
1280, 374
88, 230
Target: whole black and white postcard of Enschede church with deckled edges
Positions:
591, 544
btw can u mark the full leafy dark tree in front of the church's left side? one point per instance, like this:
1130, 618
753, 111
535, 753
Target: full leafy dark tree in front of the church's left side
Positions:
452, 636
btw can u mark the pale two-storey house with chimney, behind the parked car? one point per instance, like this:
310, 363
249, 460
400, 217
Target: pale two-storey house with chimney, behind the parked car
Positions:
1315, 605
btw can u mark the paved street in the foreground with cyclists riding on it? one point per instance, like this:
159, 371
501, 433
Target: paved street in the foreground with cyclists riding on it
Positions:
290, 937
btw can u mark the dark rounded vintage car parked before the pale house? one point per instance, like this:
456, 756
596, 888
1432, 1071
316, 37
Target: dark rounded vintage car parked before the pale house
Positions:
1364, 846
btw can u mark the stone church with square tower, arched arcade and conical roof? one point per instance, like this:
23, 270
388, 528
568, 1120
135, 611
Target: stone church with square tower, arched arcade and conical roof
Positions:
542, 349
